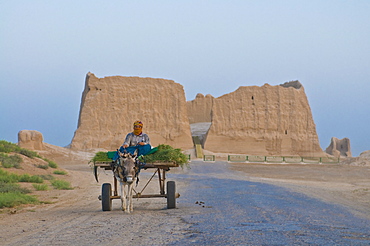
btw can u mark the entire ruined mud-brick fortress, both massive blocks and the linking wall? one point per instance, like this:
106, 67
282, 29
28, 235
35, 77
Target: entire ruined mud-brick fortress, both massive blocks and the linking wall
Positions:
266, 120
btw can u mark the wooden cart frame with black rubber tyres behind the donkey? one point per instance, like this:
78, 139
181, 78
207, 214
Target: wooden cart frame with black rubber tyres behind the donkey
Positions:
160, 168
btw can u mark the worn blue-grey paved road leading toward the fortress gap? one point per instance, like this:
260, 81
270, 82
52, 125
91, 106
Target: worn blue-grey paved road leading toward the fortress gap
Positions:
232, 211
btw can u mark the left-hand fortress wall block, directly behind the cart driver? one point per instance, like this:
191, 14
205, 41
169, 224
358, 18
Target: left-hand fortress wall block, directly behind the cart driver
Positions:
110, 105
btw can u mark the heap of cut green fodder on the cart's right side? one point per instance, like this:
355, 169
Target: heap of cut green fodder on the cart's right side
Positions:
166, 153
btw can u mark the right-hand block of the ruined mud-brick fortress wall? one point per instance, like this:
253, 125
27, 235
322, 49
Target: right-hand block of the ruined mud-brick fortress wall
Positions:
266, 120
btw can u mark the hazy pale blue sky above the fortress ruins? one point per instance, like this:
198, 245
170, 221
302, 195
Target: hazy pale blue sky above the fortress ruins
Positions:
210, 47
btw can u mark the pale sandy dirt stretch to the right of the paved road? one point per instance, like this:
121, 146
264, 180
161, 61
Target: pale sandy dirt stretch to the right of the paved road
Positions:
339, 184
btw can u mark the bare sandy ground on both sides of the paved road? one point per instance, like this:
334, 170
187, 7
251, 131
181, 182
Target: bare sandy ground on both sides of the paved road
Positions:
75, 215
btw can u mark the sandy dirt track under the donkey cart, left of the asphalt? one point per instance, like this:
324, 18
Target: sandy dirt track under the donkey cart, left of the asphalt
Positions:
77, 219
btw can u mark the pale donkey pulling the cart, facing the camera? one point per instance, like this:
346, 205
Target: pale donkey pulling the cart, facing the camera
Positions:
126, 173
